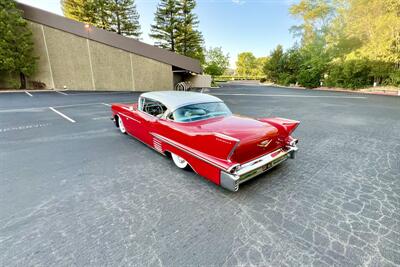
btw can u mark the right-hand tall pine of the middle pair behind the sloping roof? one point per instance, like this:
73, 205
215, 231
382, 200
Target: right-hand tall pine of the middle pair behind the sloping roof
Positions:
189, 39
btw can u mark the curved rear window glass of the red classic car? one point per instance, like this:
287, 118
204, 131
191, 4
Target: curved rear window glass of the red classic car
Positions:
201, 111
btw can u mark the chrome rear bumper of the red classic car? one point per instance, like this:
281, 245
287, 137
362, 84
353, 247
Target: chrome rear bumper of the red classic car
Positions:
247, 171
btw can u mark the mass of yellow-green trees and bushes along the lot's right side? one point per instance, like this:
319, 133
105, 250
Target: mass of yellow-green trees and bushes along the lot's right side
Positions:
346, 43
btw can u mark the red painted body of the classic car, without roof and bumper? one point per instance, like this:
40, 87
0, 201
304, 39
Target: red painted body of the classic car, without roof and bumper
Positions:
210, 146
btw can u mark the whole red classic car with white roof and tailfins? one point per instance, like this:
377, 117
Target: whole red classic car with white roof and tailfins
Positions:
199, 131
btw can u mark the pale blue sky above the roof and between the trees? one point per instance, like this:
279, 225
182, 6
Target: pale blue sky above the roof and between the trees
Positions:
237, 26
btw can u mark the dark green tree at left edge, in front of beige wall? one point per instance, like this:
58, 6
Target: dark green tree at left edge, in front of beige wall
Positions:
16, 45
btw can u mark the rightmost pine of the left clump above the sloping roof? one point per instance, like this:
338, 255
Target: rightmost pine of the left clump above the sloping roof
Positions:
125, 18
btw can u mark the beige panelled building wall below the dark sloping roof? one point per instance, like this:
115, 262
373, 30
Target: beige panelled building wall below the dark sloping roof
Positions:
80, 64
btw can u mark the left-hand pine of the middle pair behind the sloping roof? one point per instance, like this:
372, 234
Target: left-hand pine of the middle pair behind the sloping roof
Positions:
164, 29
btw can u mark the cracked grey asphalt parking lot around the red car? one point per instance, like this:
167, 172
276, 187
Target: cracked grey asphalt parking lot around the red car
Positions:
74, 191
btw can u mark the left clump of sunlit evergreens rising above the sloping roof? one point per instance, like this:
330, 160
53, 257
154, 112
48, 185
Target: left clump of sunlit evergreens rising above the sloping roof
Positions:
119, 16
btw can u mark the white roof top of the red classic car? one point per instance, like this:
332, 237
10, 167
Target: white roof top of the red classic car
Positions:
176, 99
